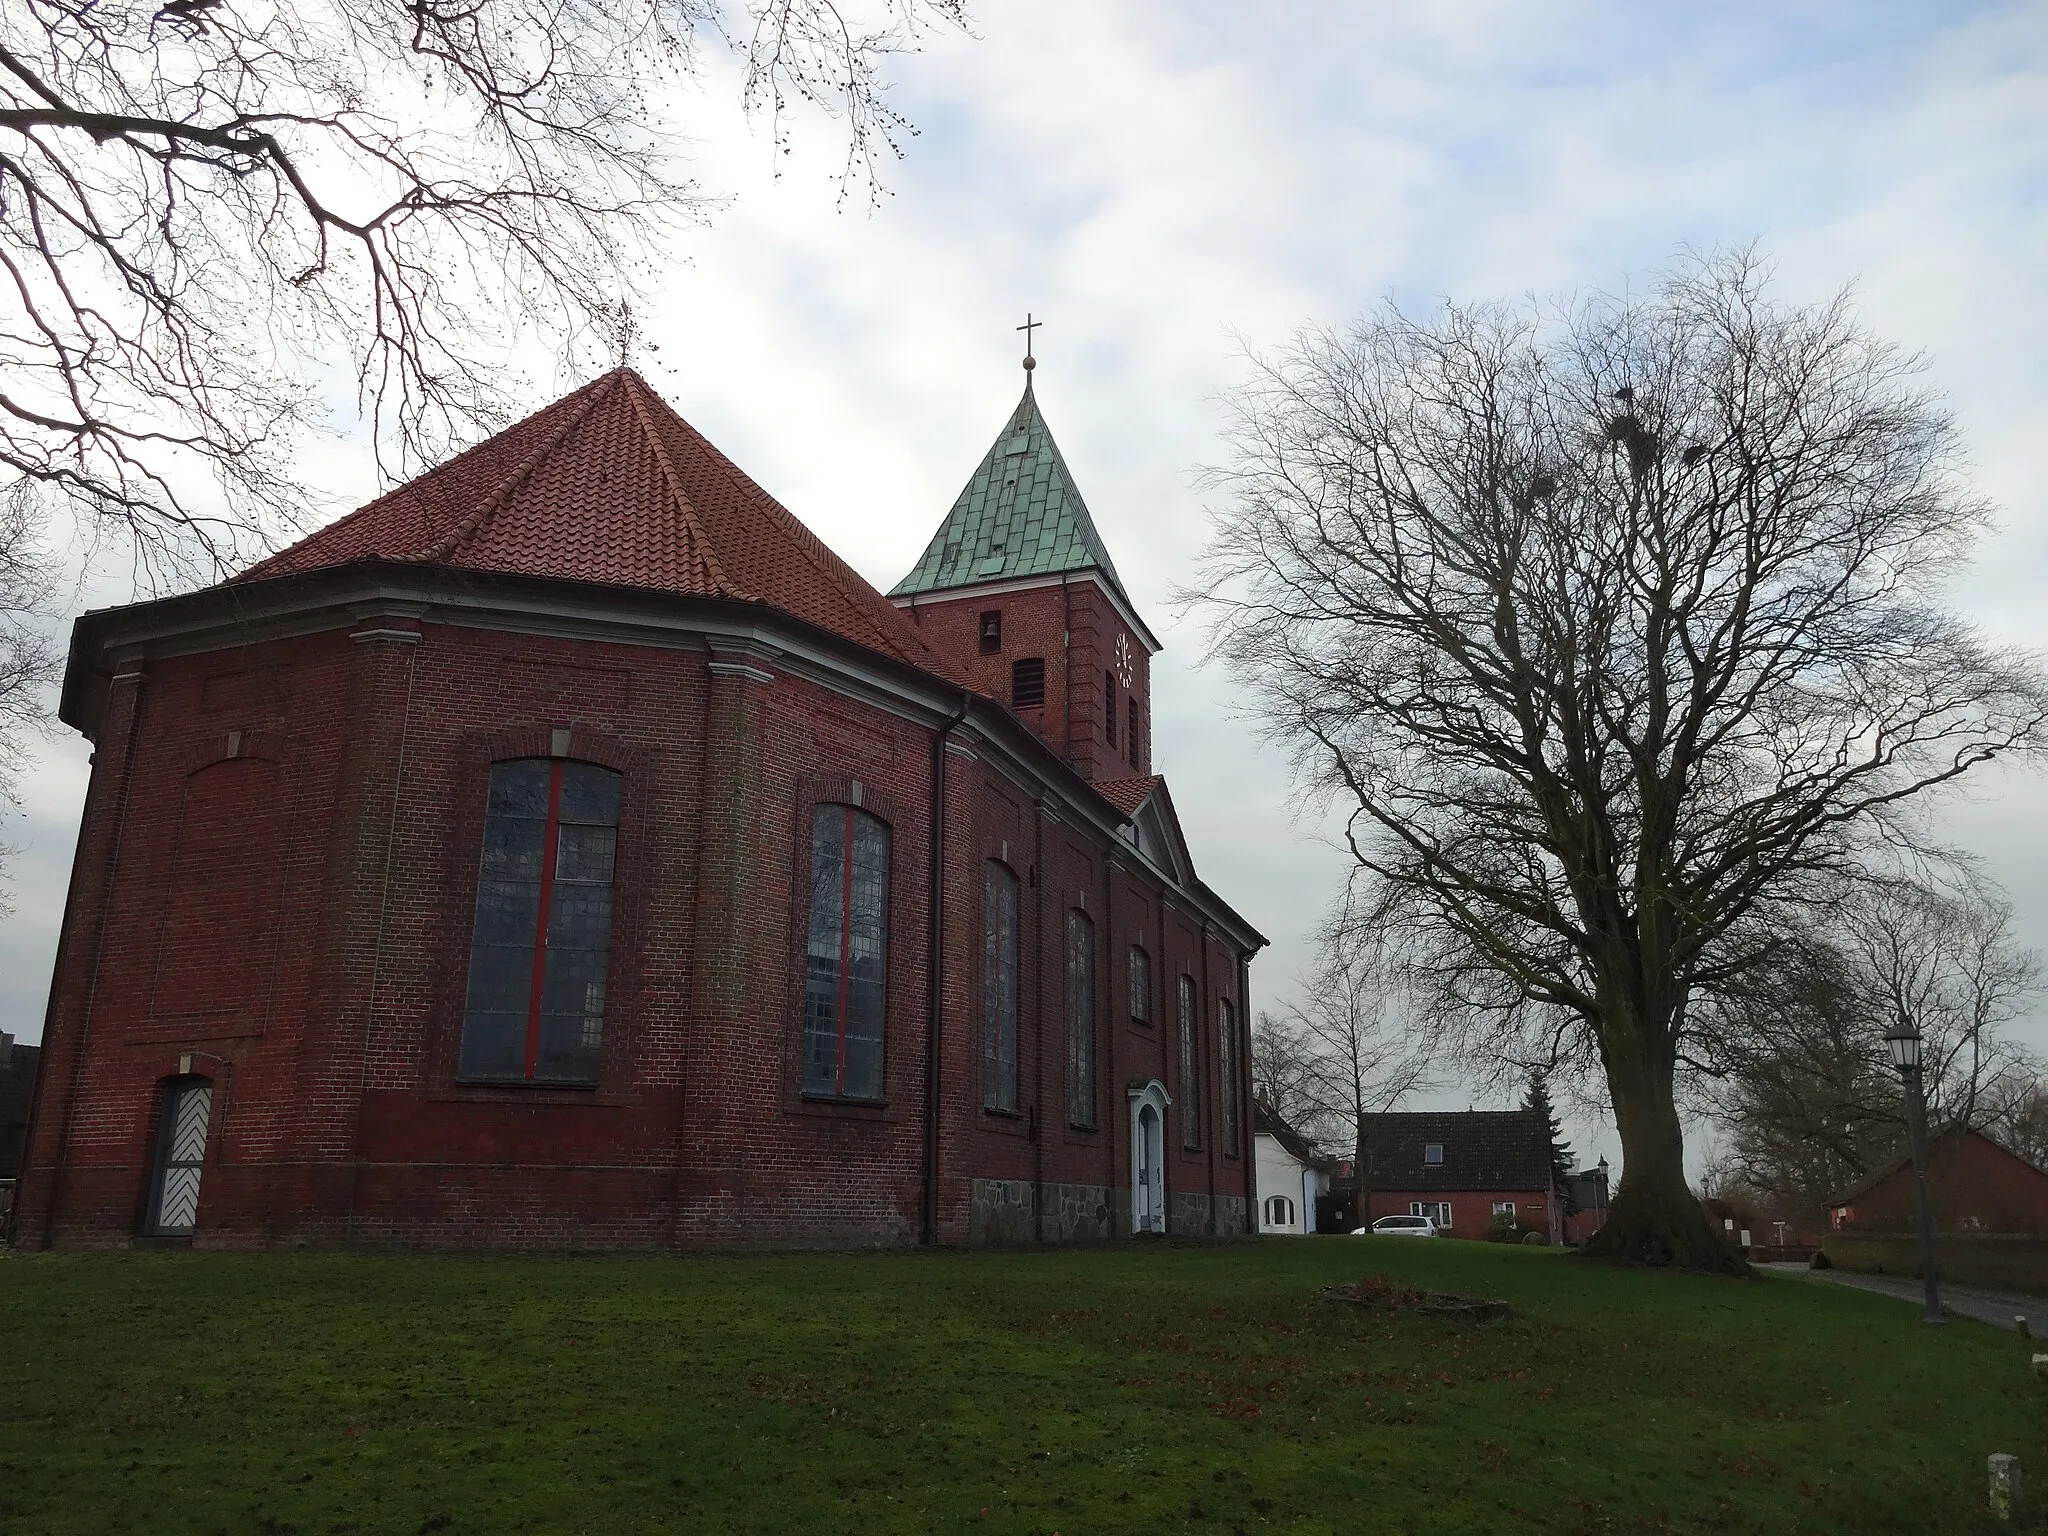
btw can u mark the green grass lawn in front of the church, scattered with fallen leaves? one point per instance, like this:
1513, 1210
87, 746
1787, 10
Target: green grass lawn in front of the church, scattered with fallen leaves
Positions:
1148, 1388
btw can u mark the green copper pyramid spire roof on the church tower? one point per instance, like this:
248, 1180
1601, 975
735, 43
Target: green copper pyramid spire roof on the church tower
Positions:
1017, 519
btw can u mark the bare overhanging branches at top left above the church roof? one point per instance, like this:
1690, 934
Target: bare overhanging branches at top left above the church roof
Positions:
218, 212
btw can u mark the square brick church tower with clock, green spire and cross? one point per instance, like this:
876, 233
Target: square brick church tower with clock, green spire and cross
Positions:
1019, 587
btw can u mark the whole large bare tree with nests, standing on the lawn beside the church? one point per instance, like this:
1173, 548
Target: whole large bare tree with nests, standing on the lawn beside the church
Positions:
1613, 630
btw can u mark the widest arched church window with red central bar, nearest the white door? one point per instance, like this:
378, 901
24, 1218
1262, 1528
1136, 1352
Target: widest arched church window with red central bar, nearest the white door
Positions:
544, 931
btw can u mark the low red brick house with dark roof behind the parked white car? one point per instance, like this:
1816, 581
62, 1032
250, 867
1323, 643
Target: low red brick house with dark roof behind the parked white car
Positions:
1463, 1168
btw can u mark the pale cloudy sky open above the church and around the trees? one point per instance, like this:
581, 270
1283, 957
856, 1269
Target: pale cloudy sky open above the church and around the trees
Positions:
1156, 181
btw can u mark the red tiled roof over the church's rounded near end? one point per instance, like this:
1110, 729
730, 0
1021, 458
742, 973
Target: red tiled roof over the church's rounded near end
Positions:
609, 484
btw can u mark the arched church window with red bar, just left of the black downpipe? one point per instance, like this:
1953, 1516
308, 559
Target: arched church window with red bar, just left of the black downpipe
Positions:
847, 959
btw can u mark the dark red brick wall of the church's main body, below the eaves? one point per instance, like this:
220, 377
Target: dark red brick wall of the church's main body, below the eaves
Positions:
275, 892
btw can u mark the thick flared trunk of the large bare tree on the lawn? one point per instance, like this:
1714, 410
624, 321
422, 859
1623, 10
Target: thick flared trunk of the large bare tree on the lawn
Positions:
1656, 1218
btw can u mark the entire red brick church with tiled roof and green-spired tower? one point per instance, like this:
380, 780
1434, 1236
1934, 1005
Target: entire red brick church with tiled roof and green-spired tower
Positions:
570, 851
